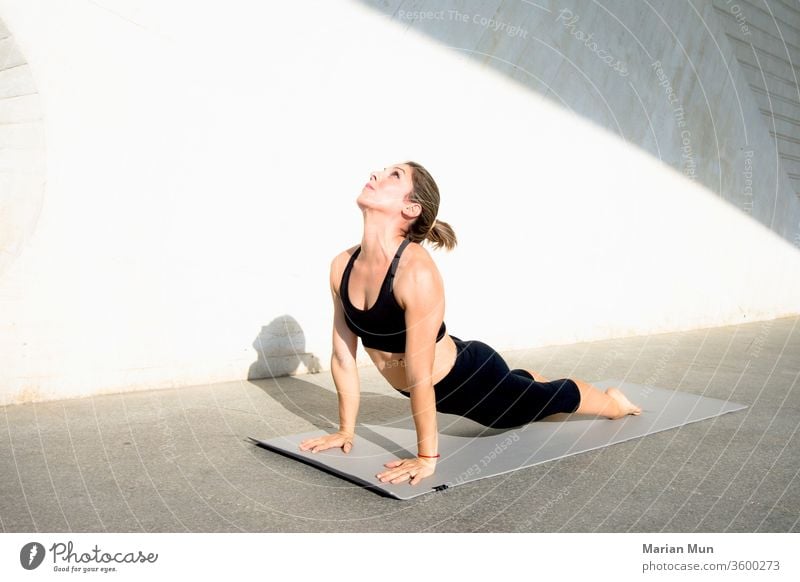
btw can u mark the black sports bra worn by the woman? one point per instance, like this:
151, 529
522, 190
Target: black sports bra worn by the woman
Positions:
383, 325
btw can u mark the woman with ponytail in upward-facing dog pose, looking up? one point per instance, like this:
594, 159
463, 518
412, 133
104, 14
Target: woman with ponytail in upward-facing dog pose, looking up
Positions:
388, 292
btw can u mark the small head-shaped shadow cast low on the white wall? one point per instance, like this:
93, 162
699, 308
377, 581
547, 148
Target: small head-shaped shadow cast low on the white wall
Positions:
281, 349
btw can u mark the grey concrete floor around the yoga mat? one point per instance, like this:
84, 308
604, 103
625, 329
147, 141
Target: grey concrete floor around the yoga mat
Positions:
179, 460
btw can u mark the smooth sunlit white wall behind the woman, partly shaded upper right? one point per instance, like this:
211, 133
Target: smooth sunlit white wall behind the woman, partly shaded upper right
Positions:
203, 160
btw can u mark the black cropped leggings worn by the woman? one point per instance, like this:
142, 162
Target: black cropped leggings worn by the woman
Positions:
482, 388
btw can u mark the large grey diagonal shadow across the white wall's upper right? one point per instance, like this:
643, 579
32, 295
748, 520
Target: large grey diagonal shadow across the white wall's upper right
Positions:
544, 47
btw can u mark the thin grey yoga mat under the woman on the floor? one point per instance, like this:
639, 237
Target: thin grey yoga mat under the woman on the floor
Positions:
470, 451
